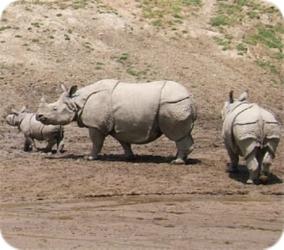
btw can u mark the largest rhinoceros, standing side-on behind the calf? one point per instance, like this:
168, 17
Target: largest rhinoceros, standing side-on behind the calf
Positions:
133, 113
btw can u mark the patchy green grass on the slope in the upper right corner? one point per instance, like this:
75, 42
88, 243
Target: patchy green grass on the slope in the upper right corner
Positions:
264, 39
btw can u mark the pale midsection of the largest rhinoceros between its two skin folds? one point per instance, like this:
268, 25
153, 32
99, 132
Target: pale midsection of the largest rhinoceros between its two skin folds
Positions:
134, 108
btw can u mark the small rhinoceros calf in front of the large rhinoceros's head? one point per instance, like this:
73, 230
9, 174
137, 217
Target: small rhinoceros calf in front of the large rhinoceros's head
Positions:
33, 129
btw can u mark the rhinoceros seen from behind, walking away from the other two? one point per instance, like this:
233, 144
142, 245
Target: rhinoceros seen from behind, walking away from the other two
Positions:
252, 132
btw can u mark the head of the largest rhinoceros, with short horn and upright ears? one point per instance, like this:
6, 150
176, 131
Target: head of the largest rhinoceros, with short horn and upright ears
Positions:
60, 112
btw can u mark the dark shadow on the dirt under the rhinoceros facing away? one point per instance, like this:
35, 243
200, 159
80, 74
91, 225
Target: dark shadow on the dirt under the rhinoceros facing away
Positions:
242, 175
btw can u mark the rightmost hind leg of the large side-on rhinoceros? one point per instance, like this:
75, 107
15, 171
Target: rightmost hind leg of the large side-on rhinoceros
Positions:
184, 147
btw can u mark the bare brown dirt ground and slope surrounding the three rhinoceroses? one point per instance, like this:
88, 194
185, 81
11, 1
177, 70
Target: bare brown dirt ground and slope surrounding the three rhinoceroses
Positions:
66, 202
